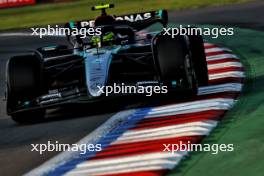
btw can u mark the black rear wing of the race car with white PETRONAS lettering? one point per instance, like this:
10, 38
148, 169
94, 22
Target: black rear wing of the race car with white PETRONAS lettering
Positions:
137, 21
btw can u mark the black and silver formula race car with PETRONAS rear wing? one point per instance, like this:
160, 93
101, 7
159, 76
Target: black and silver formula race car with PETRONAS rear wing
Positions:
122, 54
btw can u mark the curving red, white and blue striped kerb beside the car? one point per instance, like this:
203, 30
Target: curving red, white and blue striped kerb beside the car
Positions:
135, 146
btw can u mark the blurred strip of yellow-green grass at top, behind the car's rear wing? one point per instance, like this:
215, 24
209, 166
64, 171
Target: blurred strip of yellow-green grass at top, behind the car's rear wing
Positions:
62, 12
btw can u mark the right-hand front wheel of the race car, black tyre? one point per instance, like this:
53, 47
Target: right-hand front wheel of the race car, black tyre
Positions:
175, 63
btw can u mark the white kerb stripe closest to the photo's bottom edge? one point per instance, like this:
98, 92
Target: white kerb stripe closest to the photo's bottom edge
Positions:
142, 162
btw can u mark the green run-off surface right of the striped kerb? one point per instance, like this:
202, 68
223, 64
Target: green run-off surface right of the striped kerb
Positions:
243, 125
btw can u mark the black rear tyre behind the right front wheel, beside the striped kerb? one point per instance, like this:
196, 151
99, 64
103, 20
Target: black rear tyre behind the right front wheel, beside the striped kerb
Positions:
199, 59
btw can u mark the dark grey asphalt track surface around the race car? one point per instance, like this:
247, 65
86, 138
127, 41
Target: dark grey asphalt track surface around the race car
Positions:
70, 125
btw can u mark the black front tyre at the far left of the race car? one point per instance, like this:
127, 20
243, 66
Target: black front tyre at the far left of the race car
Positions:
24, 79
